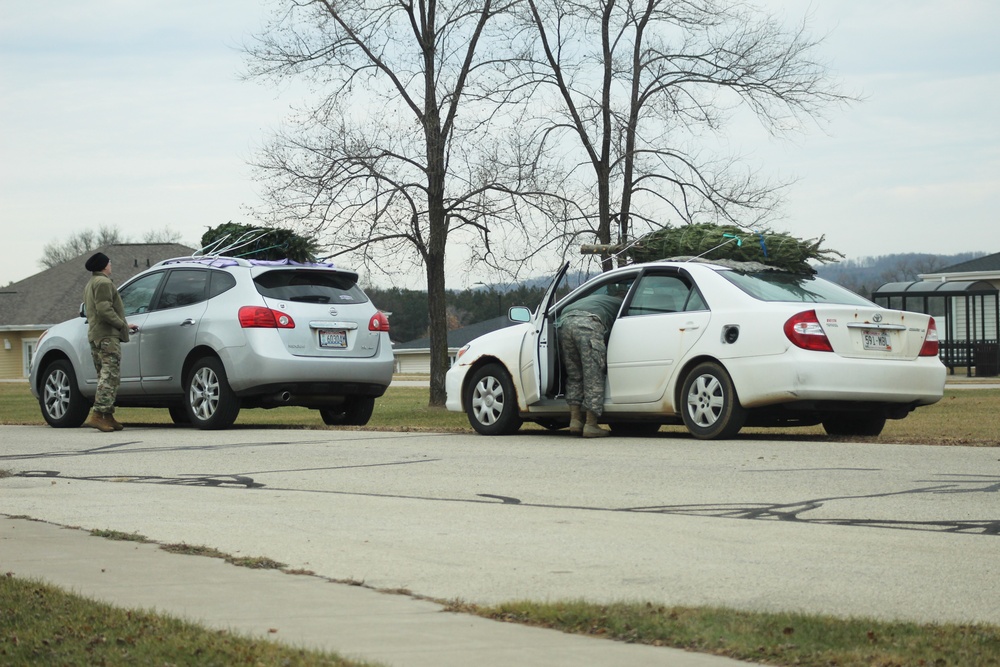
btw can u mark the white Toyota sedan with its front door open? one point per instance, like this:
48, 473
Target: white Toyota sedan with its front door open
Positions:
714, 348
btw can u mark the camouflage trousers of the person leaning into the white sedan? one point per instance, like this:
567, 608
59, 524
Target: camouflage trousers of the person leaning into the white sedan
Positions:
584, 353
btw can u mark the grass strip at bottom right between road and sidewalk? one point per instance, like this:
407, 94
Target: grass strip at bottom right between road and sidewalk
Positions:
771, 638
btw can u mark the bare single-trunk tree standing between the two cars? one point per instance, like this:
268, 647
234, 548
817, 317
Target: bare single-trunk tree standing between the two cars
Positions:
385, 166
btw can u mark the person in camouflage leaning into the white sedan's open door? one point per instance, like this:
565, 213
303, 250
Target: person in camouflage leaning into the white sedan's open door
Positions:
583, 327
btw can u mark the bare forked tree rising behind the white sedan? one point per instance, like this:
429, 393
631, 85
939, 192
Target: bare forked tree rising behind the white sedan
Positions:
643, 85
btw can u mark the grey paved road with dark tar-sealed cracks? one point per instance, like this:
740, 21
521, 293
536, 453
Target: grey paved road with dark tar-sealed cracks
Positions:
887, 530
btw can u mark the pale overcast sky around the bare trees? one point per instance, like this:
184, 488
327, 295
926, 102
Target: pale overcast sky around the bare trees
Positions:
133, 114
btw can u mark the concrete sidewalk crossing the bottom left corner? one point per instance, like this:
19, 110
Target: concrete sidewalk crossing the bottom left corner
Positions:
302, 610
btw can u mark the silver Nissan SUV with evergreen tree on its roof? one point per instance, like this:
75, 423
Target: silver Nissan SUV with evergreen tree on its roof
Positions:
217, 334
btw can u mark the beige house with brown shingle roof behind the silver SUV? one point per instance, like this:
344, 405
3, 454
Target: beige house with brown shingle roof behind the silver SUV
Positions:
32, 305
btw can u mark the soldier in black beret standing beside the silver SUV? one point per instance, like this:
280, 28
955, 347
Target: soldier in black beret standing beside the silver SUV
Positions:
106, 331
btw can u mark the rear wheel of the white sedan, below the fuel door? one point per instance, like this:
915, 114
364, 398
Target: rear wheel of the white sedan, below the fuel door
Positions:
710, 406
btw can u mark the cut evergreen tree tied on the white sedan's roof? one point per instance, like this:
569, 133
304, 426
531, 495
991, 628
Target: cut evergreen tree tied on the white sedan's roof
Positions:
729, 242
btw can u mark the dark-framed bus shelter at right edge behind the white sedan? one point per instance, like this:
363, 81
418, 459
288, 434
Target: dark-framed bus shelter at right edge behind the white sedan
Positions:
966, 313
